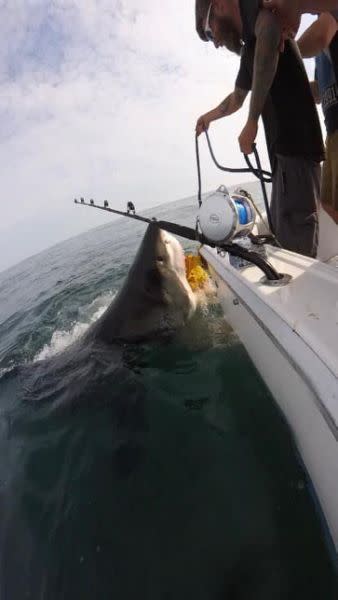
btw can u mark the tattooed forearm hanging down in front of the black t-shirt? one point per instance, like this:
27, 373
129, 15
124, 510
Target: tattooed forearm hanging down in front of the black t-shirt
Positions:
268, 34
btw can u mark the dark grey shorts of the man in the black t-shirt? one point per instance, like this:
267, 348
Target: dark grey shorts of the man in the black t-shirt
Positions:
294, 203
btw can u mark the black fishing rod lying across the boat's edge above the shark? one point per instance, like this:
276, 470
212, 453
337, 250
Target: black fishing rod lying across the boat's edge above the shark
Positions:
194, 235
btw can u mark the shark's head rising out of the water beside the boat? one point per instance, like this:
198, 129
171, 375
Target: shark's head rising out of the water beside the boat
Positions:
155, 299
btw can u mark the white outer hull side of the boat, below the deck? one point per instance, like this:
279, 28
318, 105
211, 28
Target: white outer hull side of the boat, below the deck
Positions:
290, 369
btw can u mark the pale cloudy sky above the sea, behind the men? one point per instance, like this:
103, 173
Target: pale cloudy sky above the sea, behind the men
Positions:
99, 98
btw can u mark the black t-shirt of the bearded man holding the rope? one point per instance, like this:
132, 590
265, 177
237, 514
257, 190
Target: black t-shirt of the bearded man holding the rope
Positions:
290, 116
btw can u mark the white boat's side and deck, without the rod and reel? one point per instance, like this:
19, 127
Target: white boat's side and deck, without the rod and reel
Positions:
290, 330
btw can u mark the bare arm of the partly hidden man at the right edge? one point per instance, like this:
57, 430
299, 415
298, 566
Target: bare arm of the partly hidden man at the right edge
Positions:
318, 36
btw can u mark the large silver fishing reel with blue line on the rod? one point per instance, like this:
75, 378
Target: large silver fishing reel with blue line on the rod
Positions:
224, 216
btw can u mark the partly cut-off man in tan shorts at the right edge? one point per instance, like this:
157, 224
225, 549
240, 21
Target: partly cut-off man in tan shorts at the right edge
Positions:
321, 40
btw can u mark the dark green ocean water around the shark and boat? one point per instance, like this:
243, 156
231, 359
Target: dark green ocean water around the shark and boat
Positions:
161, 471
